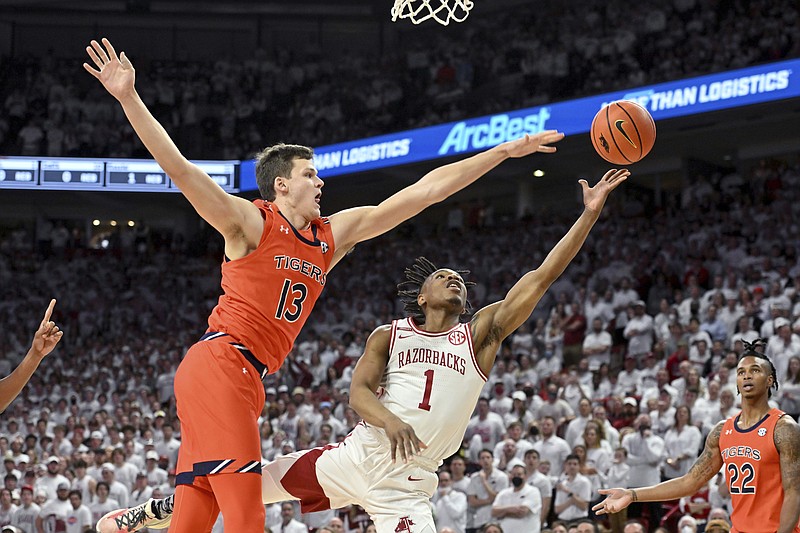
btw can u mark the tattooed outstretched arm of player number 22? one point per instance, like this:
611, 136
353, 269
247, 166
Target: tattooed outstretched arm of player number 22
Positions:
704, 468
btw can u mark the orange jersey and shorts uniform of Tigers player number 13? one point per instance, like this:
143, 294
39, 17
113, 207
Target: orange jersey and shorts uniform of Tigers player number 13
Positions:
267, 298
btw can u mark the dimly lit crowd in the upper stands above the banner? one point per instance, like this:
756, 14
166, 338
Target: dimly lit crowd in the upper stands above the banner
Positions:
535, 53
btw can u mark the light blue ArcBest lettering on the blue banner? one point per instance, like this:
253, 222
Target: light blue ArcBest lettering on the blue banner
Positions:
498, 129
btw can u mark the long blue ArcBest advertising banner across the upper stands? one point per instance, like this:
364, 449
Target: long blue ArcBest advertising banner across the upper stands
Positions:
763, 83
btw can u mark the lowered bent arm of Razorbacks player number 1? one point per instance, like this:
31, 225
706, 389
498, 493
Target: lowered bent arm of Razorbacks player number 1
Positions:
366, 380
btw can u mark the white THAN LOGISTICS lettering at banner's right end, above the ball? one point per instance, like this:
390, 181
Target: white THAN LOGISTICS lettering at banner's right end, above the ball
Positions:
704, 93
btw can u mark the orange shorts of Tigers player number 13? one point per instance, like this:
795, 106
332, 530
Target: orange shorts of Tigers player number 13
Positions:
219, 396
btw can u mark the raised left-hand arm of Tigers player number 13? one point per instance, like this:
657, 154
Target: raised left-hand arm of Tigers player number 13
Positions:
227, 214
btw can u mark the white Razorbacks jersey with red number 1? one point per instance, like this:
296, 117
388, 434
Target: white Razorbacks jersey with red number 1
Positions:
432, 383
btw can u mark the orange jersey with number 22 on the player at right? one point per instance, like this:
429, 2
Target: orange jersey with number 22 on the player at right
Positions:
753, 474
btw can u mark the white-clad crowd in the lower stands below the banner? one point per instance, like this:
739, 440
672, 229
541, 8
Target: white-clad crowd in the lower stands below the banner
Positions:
615, 380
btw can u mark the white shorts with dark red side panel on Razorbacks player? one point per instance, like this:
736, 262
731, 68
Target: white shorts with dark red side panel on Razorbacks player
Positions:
356, 471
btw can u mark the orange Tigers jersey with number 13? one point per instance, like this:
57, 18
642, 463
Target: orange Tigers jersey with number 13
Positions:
269, 293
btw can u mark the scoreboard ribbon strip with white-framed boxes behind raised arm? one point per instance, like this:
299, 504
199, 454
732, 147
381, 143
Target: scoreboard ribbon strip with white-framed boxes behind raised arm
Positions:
126, 175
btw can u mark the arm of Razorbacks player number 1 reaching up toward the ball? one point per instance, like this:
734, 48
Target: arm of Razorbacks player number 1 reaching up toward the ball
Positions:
496, 321
